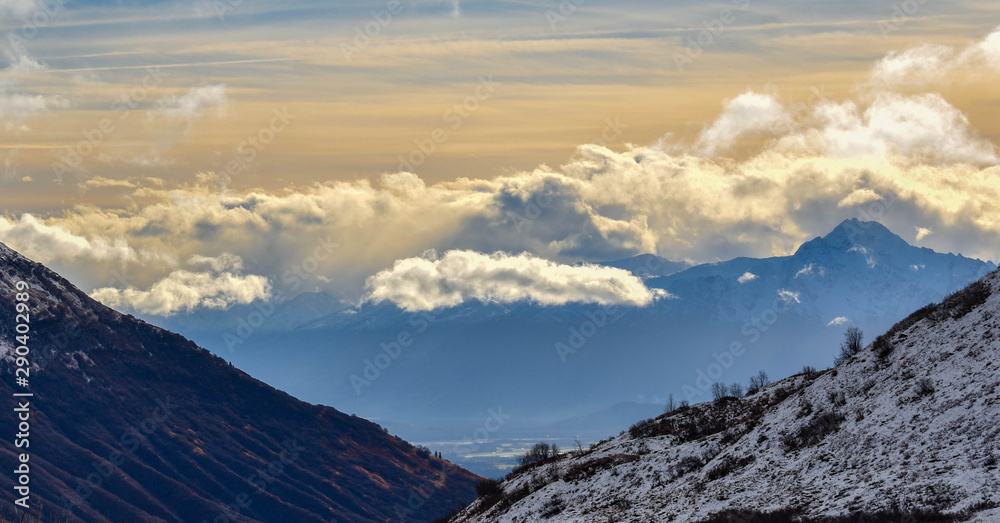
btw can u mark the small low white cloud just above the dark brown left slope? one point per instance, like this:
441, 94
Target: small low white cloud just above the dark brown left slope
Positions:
184, 290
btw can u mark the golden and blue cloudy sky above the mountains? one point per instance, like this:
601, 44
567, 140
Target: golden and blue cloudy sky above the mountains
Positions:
169, 156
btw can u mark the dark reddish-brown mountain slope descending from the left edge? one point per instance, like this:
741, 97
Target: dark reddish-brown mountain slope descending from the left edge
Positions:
129, 422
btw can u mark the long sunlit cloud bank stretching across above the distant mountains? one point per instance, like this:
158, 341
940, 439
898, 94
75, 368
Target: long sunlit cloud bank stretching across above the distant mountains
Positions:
897, 158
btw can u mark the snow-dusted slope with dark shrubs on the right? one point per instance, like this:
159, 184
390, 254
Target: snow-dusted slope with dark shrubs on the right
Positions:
904, 430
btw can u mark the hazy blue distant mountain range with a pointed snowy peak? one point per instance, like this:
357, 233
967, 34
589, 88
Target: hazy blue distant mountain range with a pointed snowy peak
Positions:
443, 370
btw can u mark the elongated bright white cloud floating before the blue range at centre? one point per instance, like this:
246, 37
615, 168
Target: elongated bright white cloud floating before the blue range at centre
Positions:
459, 276
